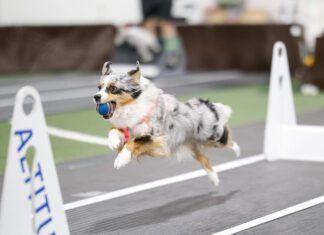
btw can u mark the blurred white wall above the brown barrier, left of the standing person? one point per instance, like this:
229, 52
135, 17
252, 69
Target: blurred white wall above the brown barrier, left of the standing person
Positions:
69, 12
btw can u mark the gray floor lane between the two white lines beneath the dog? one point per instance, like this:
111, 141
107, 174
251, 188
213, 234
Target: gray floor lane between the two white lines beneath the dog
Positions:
194, 207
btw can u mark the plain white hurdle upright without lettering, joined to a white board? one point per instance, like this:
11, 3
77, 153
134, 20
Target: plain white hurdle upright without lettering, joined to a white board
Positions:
284, 139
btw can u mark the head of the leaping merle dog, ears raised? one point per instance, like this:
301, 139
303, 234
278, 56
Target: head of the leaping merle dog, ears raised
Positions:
118, 88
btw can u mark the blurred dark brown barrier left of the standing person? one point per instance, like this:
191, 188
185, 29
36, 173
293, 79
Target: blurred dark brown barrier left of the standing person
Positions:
55, 48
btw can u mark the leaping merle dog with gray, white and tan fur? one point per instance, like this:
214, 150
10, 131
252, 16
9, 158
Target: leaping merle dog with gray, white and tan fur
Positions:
149, 122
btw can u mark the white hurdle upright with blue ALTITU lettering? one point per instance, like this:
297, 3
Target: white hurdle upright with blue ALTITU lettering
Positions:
31, 203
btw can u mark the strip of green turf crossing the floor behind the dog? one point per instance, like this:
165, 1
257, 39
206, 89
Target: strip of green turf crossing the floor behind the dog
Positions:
249, 104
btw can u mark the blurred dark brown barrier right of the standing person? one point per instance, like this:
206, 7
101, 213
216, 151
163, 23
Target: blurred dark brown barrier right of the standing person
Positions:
244, 47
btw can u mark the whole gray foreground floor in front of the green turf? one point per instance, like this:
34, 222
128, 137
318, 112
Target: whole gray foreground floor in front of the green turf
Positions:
195, 206
